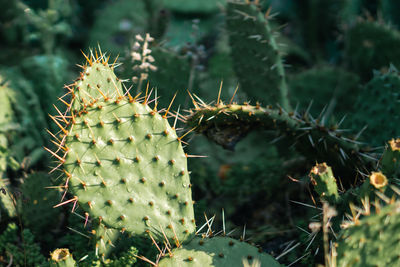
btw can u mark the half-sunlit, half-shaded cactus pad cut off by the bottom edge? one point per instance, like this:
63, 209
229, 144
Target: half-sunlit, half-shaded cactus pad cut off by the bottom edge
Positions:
217, 252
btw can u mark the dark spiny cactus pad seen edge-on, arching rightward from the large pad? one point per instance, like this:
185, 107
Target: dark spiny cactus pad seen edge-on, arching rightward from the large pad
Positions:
227, 124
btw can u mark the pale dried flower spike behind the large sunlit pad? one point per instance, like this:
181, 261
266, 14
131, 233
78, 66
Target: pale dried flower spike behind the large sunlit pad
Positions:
142, 59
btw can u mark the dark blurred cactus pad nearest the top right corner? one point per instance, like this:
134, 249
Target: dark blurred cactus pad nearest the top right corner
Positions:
371, 46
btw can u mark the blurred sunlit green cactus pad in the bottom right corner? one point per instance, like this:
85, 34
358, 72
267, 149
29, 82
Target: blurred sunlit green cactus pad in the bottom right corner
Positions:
372, 241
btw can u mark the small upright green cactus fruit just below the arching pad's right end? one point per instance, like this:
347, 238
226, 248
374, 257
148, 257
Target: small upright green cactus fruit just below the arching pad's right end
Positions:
324, 182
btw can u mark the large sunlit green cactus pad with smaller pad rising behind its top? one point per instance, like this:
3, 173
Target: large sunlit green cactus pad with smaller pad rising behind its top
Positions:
123, 161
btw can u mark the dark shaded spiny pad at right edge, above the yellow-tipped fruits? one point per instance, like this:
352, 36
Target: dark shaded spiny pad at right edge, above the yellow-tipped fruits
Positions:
379, 100
